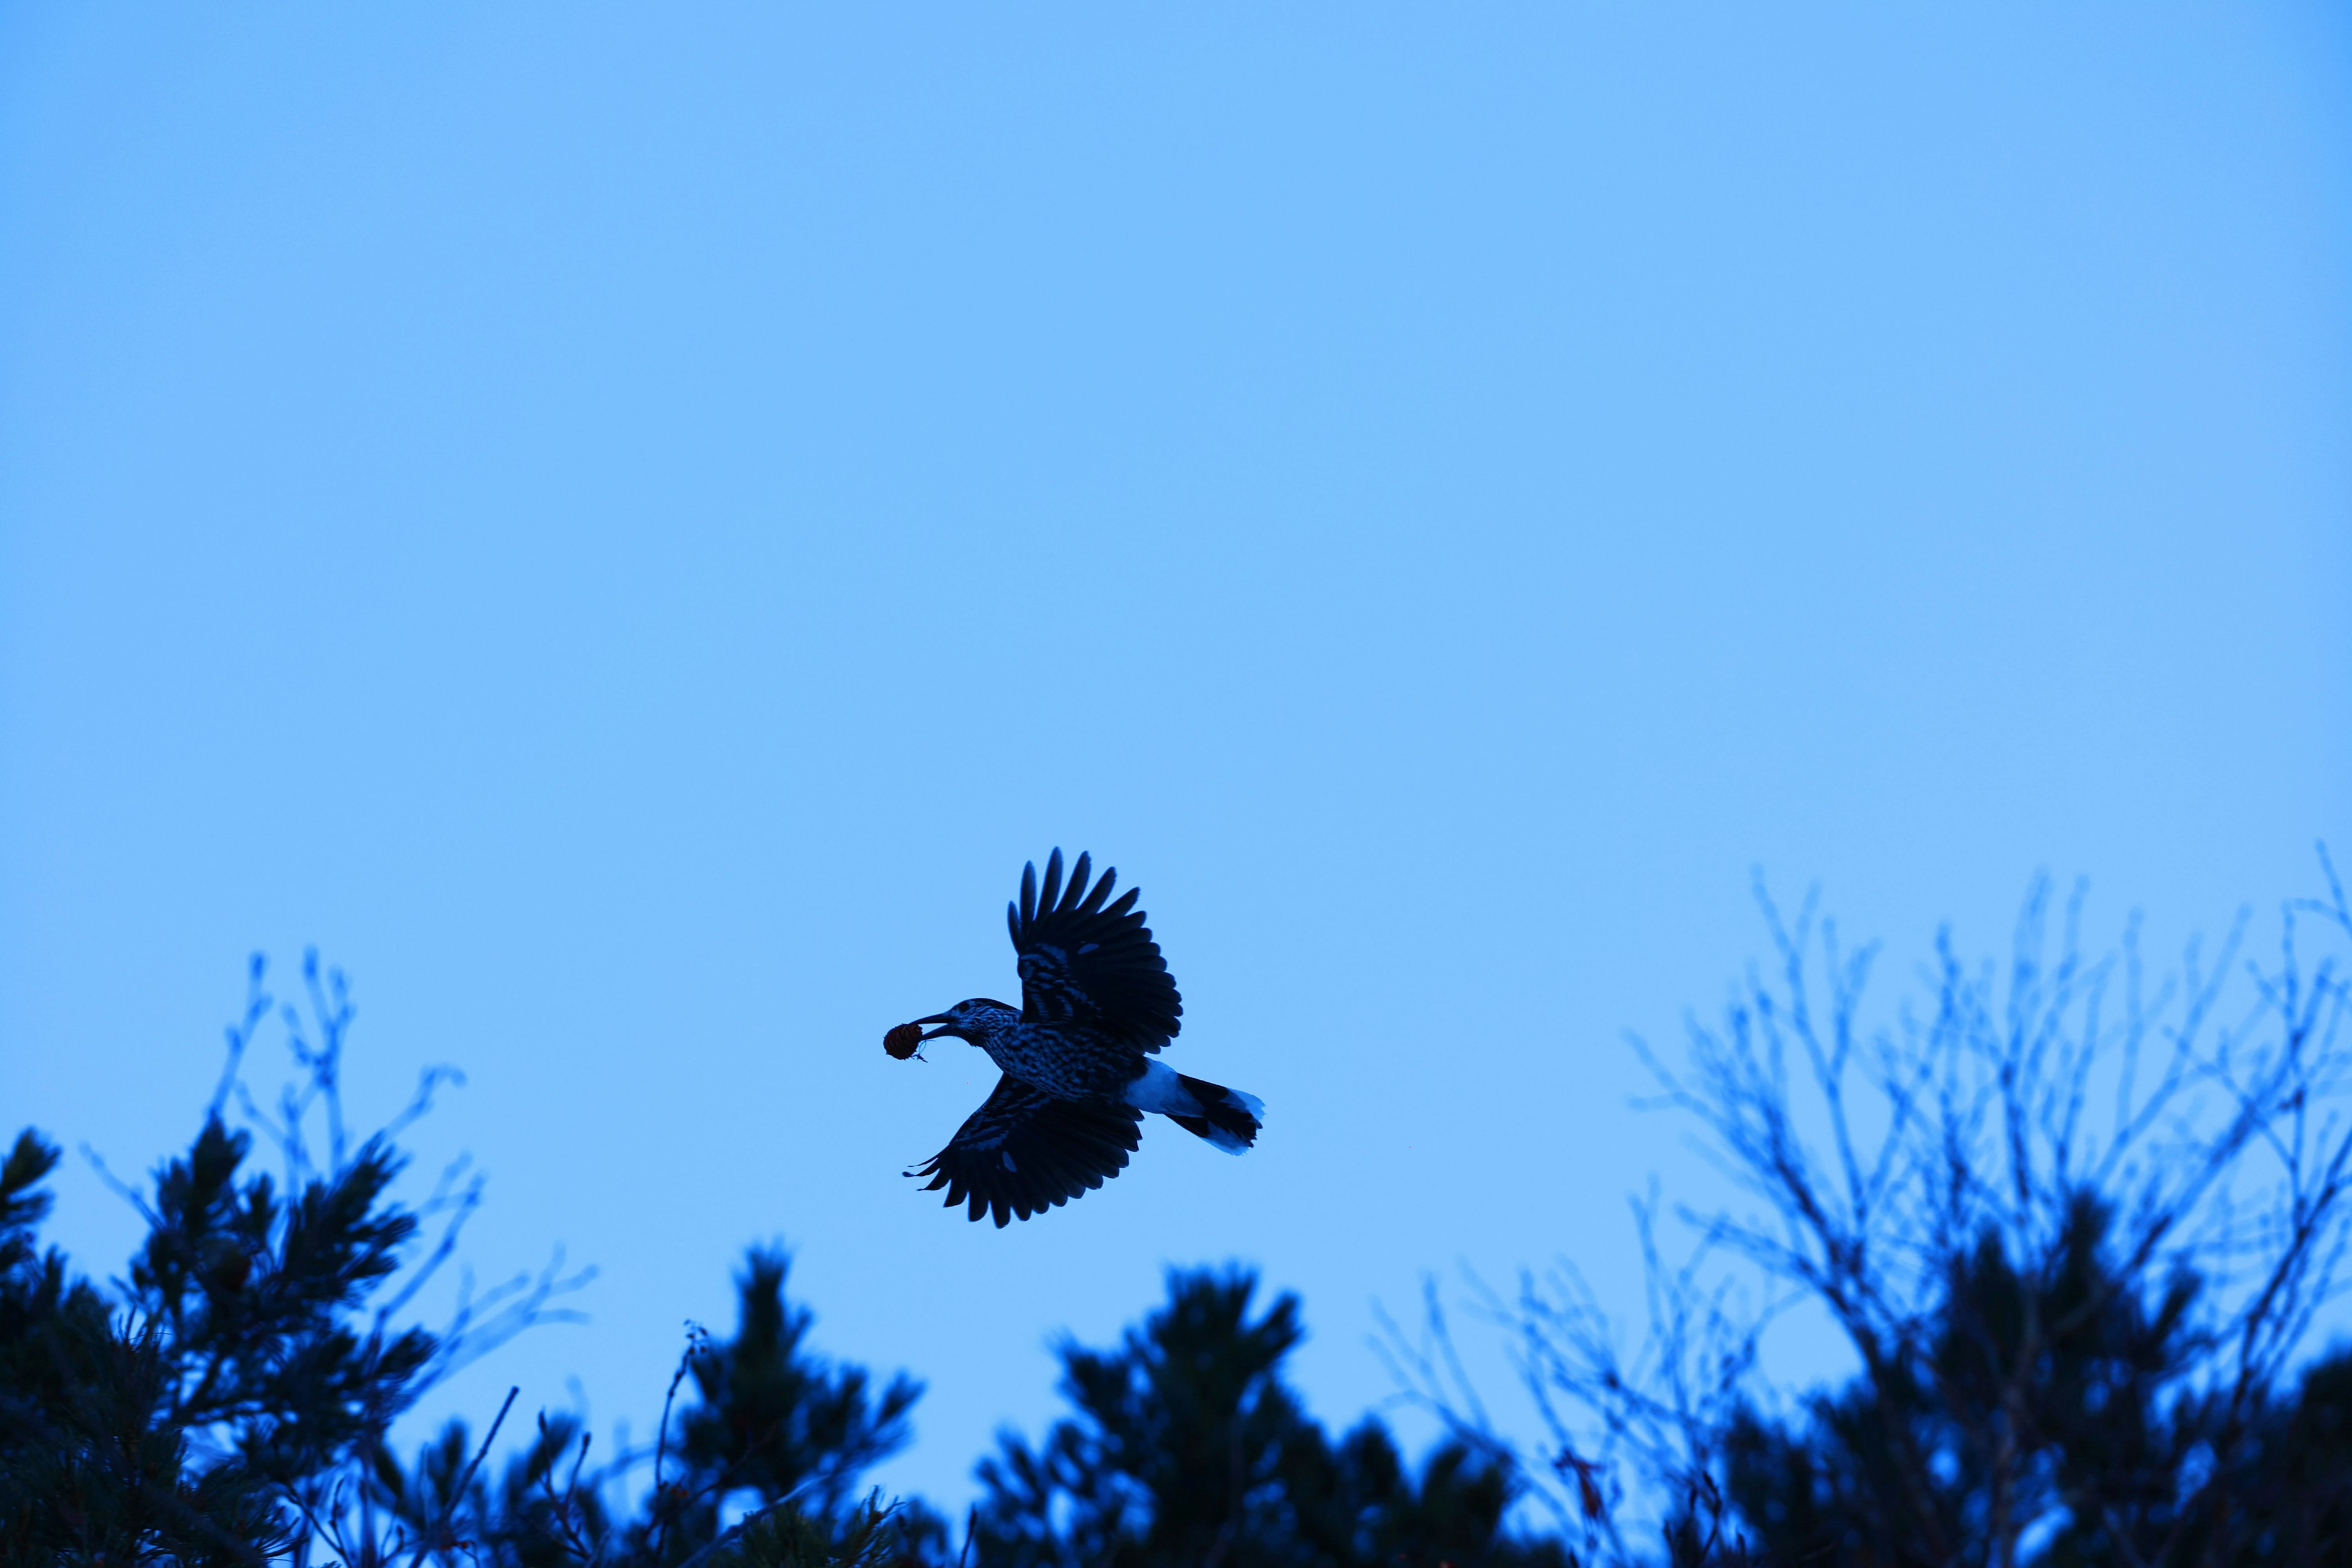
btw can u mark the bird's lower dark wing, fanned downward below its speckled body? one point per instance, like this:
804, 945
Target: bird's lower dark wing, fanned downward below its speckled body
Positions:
1024, 1153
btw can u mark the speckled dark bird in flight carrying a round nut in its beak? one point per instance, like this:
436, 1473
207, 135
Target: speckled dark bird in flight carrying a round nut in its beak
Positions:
1097, 1003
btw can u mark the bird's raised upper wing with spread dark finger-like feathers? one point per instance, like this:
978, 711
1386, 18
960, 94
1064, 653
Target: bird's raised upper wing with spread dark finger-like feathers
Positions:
1088, 960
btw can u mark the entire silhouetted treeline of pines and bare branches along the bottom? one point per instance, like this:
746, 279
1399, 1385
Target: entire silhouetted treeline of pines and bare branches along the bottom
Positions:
2078, 1336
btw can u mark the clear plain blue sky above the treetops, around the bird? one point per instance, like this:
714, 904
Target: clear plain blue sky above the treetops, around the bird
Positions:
629, 525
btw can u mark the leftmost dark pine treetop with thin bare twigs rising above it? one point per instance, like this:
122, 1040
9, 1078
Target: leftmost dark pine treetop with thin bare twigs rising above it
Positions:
215, 1407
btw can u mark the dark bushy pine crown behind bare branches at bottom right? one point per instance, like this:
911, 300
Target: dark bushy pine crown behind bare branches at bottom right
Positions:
2104, 1433
